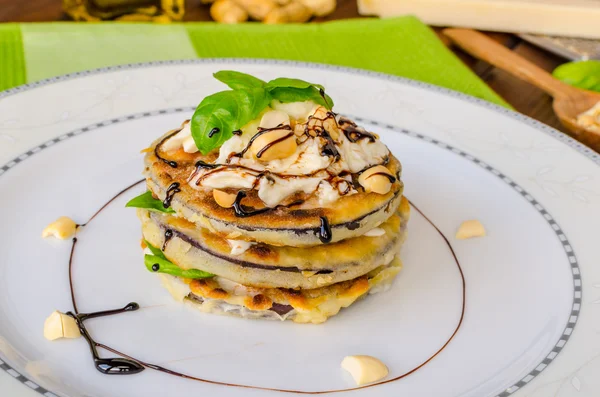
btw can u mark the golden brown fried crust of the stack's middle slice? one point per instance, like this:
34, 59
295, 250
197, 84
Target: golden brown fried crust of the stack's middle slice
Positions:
311, 262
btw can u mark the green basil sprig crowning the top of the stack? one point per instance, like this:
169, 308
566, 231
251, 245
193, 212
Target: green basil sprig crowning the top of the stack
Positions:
218, 115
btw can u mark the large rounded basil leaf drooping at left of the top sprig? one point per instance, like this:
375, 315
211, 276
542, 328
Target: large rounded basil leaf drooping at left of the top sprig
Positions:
227, 111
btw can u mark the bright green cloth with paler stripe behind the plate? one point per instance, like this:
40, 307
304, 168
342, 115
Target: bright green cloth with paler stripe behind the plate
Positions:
400, 46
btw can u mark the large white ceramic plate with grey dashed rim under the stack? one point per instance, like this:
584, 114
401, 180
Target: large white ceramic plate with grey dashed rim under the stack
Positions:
532, 286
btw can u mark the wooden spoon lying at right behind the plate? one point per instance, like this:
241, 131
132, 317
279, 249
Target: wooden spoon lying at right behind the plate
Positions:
569, 101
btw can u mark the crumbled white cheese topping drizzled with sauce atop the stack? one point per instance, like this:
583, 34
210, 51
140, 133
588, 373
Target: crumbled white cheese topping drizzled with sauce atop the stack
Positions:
309, 169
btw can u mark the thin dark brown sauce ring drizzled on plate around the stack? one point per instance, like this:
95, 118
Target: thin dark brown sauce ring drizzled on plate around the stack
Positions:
127, 365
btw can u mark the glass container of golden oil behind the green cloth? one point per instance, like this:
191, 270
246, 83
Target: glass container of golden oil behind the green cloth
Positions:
161, 11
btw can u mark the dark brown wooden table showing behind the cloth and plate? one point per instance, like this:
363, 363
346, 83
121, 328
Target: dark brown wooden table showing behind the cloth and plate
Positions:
524, 97
